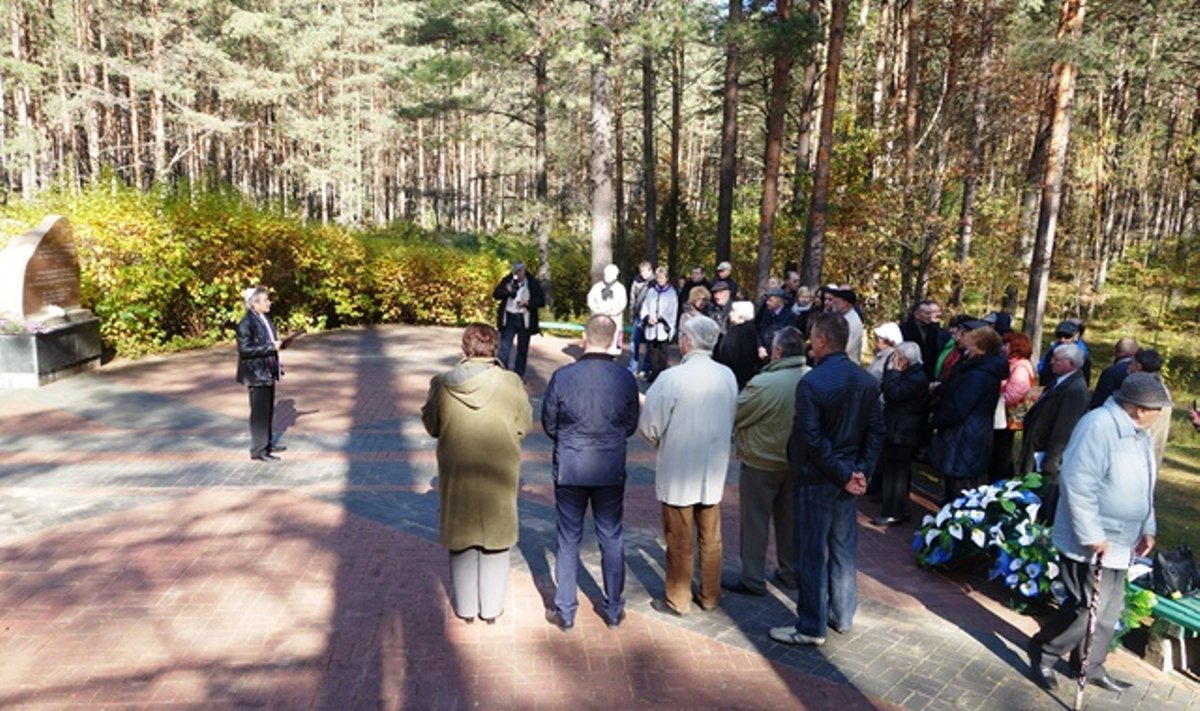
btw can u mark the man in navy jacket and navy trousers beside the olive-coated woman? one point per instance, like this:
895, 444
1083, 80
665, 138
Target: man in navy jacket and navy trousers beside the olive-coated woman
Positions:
590, 409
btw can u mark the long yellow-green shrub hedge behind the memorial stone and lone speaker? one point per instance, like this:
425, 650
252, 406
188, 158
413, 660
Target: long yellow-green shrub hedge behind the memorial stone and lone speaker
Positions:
165, 271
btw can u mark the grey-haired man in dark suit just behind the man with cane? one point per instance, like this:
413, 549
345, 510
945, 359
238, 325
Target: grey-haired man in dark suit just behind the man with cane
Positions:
1052, 420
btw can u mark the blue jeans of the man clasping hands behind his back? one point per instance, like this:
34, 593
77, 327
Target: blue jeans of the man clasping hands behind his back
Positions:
826, 547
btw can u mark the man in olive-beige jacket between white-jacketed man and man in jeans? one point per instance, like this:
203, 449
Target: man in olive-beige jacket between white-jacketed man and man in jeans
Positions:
761, 428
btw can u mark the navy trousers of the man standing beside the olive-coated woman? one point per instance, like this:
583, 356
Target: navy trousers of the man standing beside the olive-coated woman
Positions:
608, 511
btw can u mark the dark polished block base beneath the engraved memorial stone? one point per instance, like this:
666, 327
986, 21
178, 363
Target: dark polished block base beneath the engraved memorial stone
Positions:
34, 360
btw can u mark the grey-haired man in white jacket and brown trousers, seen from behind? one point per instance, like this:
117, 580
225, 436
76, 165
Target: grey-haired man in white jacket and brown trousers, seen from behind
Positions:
689, 417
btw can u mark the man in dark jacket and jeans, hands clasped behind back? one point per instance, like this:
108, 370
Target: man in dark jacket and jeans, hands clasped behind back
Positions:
837, 438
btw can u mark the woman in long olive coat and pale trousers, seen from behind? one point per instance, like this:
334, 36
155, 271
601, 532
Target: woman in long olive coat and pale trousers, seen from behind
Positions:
479, 414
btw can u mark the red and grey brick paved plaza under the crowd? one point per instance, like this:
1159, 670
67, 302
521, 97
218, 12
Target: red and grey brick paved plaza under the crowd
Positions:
147, 563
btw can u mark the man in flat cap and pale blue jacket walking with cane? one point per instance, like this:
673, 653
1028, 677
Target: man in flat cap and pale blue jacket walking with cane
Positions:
1106, 518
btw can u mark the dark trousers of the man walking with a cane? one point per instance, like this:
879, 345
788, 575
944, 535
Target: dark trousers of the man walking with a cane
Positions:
1066, 630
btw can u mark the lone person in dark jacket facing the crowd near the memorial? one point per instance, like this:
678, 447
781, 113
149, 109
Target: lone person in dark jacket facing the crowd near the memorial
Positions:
259, 369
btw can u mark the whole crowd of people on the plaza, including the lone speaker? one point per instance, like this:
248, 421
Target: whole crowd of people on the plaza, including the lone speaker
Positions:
782, 384
